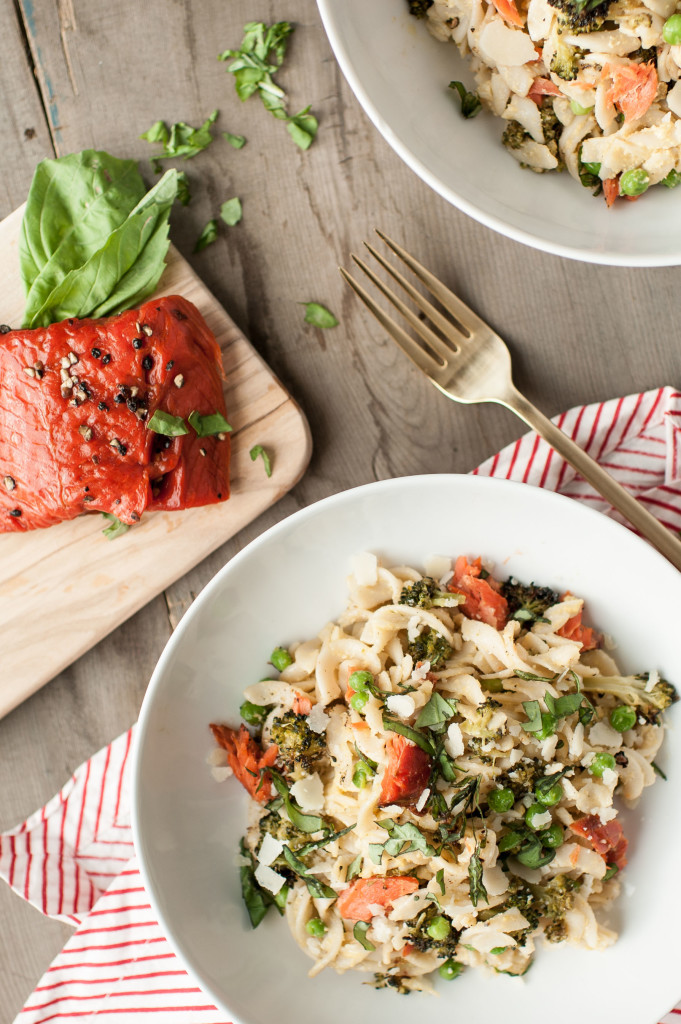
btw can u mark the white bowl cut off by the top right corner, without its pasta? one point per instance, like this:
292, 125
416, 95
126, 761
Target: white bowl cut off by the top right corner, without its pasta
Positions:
401, 75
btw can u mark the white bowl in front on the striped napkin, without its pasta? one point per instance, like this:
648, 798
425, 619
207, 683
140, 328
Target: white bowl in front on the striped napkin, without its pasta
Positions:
284, 587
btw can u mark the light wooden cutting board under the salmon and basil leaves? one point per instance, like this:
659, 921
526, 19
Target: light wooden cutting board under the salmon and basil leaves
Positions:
63, 589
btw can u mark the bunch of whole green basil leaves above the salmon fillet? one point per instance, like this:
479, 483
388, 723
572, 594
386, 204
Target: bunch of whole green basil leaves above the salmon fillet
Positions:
105, 263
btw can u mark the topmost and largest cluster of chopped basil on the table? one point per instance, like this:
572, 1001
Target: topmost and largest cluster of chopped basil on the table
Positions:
260, 57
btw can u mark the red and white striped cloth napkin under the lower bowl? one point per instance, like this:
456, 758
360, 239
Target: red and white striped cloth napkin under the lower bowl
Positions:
75, 860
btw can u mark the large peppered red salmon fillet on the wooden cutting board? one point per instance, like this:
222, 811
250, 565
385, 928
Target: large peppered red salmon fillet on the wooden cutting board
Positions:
75, 405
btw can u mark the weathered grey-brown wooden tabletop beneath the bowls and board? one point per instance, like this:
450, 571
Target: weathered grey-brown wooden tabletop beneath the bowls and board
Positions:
98, 73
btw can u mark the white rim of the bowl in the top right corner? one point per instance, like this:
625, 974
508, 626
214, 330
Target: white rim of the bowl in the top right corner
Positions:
328, 13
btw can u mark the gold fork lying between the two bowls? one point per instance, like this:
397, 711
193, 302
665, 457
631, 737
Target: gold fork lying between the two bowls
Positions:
470, 363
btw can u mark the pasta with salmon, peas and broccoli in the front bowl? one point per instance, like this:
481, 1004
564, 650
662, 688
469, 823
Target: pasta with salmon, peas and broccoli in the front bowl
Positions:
434, 777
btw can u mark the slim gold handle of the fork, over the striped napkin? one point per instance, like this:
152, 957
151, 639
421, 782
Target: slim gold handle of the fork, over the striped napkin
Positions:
631, 509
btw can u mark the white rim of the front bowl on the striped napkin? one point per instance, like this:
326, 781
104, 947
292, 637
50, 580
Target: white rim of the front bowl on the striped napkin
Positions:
205, 596
